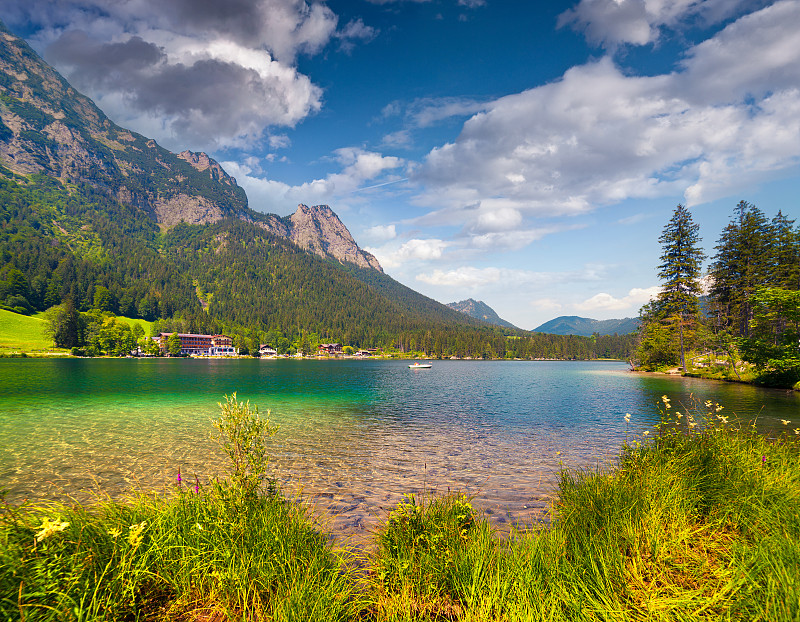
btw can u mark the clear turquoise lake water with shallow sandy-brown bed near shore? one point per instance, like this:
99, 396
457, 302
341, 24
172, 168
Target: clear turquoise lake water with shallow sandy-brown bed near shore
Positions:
355, 435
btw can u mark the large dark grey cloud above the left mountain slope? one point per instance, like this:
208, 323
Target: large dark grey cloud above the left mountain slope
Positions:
196, 73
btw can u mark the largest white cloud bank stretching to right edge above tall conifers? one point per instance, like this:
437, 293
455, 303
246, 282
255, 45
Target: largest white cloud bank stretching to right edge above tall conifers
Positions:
599, 136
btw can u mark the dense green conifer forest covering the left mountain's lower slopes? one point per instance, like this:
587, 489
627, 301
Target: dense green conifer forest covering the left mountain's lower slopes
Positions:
71, 247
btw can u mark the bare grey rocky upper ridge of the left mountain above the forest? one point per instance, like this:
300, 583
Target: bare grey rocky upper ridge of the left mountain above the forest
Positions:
47, 127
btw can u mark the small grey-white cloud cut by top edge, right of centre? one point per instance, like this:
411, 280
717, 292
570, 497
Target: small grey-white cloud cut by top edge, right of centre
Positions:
638, 22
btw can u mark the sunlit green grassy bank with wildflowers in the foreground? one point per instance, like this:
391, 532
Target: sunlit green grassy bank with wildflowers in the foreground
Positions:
697, 522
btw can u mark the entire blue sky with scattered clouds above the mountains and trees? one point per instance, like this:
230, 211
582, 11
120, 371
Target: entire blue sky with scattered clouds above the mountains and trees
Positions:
525, 154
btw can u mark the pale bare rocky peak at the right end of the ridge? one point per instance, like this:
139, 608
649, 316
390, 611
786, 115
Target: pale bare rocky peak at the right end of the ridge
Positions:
318, 230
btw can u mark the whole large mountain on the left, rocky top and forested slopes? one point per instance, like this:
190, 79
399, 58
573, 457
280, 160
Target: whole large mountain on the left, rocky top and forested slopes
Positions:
100, 218
